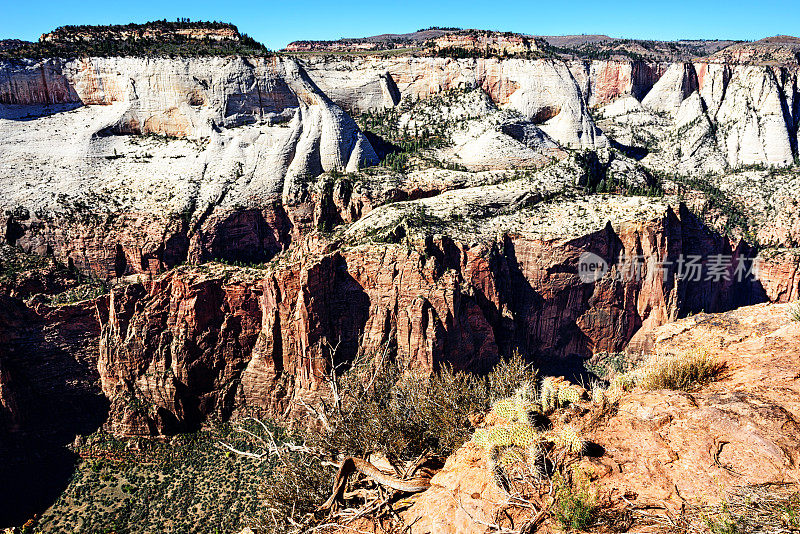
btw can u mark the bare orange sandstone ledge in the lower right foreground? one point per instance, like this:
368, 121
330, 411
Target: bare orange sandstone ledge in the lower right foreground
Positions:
662, 450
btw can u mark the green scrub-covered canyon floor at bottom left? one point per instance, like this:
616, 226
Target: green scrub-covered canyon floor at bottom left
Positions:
180, 484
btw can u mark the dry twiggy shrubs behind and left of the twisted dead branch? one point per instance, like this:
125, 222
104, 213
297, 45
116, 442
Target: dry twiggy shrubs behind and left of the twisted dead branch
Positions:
375, 407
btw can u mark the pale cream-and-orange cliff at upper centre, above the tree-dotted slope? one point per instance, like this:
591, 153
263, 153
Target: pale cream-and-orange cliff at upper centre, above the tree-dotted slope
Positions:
543, 91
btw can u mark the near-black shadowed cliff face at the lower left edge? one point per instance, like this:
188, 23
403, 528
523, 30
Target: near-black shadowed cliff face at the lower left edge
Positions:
49, 393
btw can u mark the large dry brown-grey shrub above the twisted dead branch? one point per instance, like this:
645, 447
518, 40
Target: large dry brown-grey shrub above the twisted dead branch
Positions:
402, 415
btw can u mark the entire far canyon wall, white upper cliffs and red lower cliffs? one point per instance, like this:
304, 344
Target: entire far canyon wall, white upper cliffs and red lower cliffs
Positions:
236, 180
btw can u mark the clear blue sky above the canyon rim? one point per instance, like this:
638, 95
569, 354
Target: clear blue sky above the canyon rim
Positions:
276, 23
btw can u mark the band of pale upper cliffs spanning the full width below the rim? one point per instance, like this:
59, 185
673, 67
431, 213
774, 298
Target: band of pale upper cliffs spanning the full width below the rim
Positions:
758, 117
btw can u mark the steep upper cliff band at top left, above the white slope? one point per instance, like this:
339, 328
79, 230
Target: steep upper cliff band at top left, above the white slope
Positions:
176, 97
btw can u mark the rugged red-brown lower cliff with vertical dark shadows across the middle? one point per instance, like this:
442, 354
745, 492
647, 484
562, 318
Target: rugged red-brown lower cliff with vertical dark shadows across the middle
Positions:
211, 341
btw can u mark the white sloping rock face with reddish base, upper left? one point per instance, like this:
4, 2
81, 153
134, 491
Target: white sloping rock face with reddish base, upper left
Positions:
265, 130
